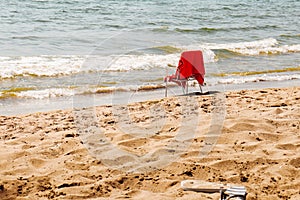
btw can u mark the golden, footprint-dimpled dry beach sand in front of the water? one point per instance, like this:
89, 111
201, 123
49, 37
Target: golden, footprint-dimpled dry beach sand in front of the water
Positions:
144, 150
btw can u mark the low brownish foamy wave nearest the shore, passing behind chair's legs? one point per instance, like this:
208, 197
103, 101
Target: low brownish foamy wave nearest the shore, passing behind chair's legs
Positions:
40, 93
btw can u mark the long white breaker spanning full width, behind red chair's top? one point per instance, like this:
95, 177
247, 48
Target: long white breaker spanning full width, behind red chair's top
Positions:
65, 65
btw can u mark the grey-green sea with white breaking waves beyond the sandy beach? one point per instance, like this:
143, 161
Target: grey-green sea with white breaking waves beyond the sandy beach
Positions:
54, 51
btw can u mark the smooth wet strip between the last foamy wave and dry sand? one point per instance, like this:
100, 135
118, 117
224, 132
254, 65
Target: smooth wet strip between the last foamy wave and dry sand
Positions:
13, 107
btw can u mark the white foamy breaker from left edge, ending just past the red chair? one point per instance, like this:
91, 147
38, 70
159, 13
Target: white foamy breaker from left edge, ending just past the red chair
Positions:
52, 66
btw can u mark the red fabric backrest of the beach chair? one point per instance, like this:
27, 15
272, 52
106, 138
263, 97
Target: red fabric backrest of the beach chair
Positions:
191, 65
